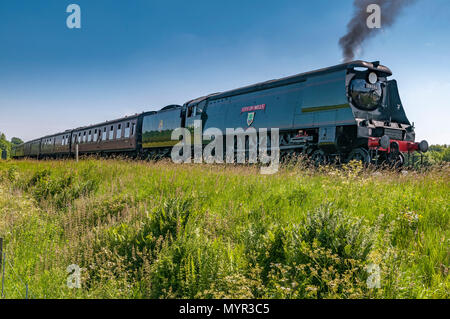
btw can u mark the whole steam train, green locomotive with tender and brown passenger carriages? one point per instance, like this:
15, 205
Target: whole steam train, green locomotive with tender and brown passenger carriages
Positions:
341, 113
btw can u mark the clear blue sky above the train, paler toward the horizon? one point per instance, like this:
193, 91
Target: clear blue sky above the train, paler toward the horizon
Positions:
133, 56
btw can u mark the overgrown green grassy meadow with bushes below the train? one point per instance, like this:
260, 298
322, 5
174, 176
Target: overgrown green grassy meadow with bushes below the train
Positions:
161, 230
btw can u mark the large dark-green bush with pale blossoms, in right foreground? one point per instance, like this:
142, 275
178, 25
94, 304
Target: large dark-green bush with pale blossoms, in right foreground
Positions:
323, 258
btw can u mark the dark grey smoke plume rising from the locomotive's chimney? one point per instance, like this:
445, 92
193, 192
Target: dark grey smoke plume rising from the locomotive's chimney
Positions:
357, 30
